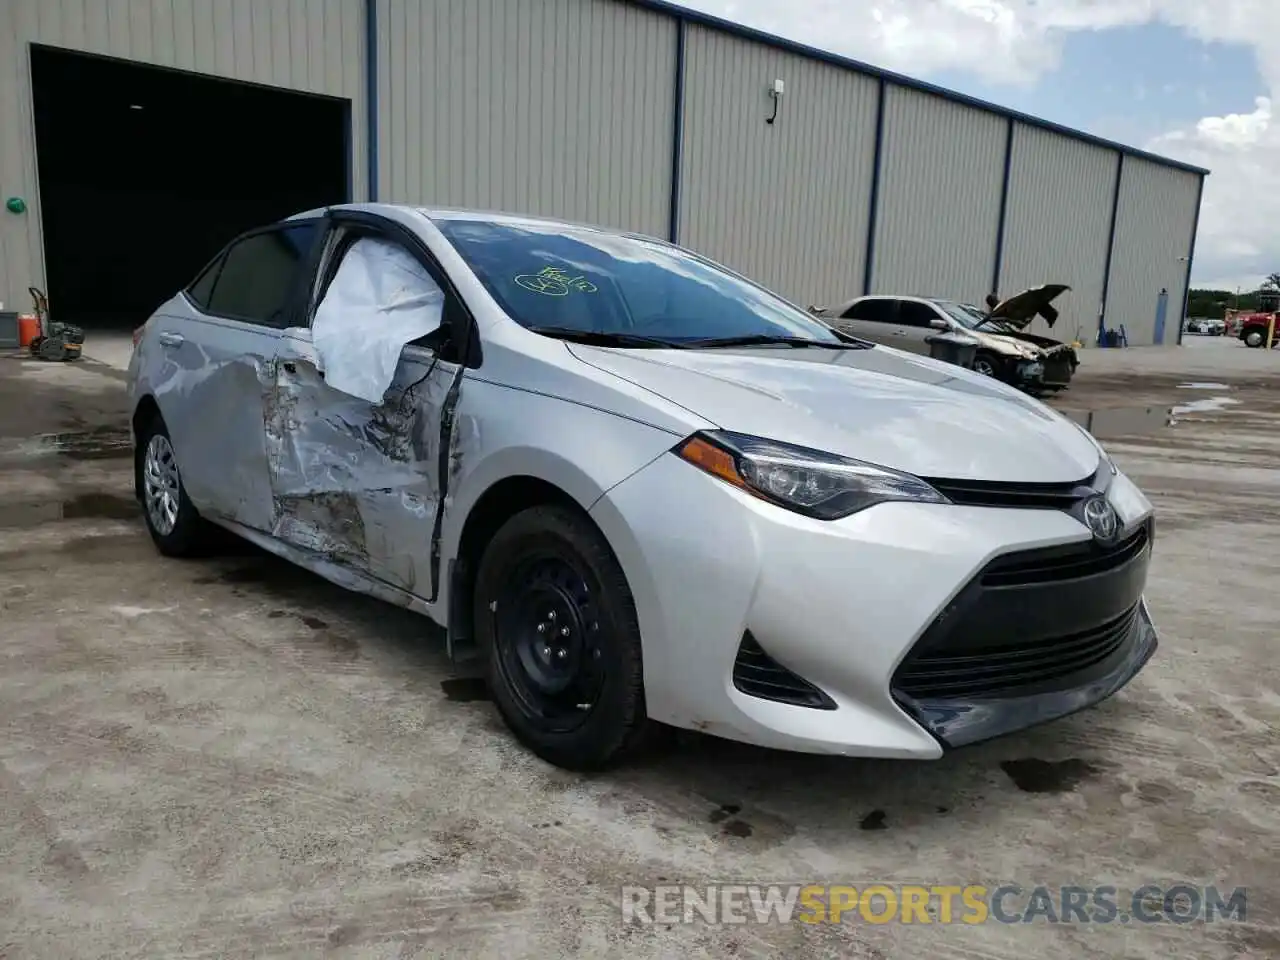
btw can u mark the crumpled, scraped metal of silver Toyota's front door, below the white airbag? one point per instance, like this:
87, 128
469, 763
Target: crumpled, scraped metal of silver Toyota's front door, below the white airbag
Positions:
353, 481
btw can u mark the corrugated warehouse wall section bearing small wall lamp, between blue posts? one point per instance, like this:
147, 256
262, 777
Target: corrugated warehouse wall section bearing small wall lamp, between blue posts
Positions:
785, 204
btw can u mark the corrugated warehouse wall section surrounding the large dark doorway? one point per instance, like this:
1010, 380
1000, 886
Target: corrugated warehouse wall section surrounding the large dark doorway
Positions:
308, 45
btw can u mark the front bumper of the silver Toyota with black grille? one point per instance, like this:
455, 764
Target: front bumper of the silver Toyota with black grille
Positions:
769, 628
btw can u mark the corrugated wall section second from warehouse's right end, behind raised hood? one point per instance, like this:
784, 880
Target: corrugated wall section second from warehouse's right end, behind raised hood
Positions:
1058, 223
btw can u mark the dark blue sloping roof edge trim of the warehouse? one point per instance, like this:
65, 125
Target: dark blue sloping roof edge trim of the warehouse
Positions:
772, 40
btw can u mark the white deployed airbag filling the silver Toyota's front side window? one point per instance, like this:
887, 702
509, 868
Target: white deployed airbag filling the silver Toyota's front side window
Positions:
381, 299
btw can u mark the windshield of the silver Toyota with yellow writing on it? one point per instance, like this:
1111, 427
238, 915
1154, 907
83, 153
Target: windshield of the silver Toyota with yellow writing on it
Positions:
579, 281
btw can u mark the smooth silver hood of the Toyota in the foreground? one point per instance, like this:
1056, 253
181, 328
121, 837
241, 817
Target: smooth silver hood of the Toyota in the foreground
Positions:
880, 405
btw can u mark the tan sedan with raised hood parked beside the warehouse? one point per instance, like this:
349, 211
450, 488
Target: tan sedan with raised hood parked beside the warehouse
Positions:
1005, 350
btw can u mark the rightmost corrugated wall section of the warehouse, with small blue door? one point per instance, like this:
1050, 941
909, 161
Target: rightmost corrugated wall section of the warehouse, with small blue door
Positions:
1154, 234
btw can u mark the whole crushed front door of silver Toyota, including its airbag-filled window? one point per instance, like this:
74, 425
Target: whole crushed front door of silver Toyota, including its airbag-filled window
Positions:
358, 479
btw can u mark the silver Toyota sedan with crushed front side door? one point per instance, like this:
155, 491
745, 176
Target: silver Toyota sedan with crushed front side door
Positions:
641, 487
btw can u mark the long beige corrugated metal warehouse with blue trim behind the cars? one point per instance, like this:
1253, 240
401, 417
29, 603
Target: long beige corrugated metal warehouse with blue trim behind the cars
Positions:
121, 179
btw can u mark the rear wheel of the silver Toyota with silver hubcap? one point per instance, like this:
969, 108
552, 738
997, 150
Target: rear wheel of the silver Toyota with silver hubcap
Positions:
176, 527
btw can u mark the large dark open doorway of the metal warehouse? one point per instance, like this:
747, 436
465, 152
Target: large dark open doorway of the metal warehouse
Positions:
145, 173
